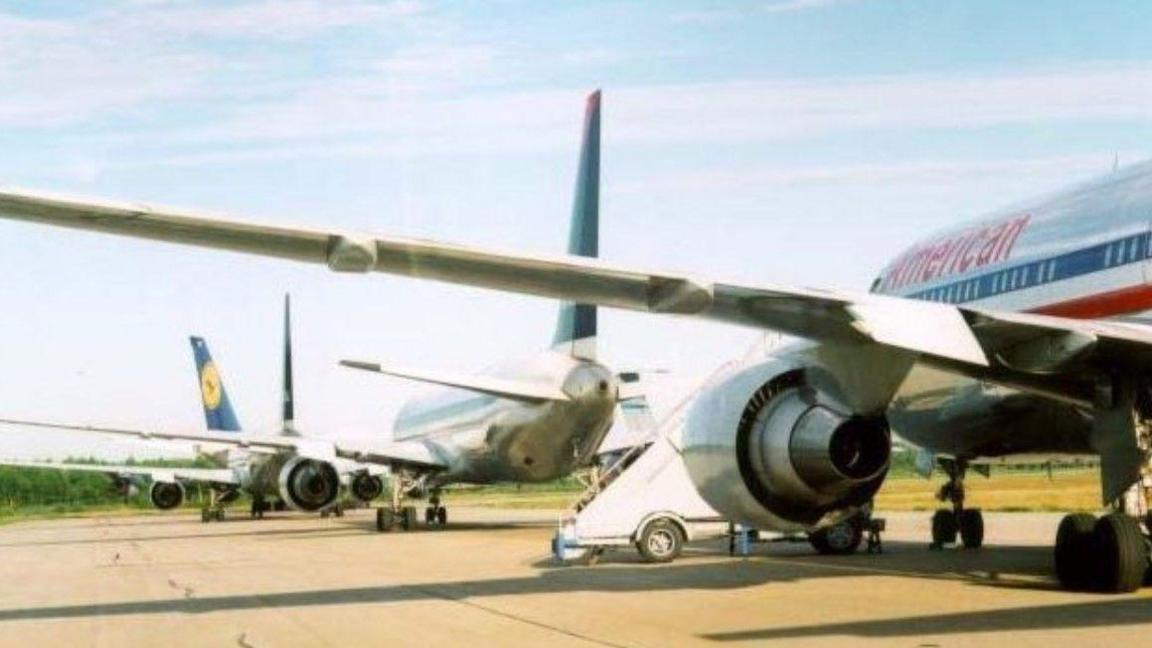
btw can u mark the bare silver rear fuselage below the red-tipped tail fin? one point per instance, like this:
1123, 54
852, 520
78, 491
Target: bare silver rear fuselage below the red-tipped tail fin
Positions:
486, 439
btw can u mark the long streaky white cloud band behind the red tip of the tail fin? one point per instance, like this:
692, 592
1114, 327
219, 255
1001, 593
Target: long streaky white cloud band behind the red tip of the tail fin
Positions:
713, 112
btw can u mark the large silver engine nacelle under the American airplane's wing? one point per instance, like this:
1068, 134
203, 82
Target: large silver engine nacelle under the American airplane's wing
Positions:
769, 447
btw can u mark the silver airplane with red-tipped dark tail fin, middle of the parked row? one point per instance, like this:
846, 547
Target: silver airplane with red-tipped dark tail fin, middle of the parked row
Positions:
527, 421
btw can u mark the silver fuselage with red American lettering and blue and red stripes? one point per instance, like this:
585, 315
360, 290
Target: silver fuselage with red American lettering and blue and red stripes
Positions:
1086, 253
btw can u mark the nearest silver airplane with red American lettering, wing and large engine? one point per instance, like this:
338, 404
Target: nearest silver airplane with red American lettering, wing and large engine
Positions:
1019, 335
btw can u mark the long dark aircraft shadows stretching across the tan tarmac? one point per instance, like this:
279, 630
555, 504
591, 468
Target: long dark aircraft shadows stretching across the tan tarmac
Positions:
1021, 567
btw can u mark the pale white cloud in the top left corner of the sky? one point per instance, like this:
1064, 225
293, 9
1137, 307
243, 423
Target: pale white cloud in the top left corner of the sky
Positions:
112, 61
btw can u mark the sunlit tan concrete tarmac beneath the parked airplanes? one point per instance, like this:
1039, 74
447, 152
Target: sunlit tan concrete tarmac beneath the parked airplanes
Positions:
489, 579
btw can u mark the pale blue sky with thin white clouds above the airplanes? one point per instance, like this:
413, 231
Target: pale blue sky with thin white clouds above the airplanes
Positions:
804, 142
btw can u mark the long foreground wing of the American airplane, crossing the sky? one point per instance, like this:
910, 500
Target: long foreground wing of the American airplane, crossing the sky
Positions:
920, 327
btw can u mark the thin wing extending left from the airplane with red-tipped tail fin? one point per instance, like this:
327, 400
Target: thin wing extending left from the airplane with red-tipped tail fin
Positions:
389, 454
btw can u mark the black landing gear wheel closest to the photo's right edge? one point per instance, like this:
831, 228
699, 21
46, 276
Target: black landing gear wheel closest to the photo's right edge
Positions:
1121, 554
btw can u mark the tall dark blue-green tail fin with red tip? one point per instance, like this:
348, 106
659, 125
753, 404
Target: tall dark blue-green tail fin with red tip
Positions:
577, 323
